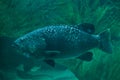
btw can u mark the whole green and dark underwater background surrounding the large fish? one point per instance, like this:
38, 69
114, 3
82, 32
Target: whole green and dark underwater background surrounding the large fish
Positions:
18, 17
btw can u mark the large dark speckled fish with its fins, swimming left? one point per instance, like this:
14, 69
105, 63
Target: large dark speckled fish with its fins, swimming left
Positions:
63, 42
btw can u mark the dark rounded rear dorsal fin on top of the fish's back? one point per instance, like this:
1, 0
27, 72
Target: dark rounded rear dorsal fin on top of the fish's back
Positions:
86, 27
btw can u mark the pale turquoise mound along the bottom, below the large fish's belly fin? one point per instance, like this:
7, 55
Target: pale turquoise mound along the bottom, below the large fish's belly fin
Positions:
46, 72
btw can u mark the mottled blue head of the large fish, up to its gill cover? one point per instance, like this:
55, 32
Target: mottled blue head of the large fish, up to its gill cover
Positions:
30, 46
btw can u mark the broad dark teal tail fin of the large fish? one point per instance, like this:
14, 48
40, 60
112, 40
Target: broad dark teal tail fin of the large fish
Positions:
105, 41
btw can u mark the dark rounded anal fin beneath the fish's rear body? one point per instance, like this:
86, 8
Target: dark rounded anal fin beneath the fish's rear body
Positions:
88, 56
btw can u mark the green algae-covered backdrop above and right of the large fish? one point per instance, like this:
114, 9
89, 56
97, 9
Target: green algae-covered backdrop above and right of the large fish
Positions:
18, 17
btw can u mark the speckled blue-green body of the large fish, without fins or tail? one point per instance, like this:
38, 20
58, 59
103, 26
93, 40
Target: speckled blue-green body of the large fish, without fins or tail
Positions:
67, 41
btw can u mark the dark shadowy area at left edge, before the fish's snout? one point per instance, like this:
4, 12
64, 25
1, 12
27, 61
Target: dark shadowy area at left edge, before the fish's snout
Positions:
9, 58
